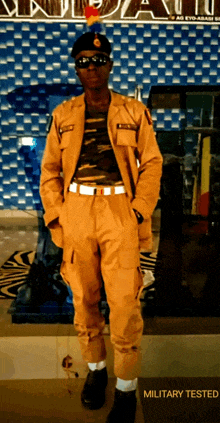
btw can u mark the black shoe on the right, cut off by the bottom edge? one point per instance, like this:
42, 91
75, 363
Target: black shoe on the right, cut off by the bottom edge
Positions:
124, 407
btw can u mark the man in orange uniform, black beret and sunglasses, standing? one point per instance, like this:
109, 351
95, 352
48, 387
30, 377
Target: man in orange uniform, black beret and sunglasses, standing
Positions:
98, 204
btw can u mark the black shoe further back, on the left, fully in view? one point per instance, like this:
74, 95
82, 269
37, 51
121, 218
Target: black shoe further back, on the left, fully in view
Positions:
93, 393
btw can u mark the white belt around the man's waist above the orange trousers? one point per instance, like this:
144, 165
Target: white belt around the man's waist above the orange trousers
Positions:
86, 190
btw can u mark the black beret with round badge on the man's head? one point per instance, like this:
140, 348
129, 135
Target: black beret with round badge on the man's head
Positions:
91, 41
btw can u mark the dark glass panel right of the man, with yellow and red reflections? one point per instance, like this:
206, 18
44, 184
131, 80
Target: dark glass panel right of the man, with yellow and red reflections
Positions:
188, 262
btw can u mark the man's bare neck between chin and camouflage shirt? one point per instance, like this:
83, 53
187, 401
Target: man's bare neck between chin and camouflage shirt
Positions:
98, 100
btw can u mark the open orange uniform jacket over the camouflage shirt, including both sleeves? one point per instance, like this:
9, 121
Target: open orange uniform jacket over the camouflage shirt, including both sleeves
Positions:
132, 137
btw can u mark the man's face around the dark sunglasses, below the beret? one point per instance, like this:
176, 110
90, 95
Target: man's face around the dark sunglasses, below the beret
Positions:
94, 77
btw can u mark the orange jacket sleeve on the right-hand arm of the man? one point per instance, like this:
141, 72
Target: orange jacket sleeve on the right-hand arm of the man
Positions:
150, 167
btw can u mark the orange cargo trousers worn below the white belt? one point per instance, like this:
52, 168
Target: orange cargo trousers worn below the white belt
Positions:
100, 235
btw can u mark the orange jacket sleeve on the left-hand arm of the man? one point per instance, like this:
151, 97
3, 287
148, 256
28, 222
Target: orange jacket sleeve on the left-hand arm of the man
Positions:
51, 181
